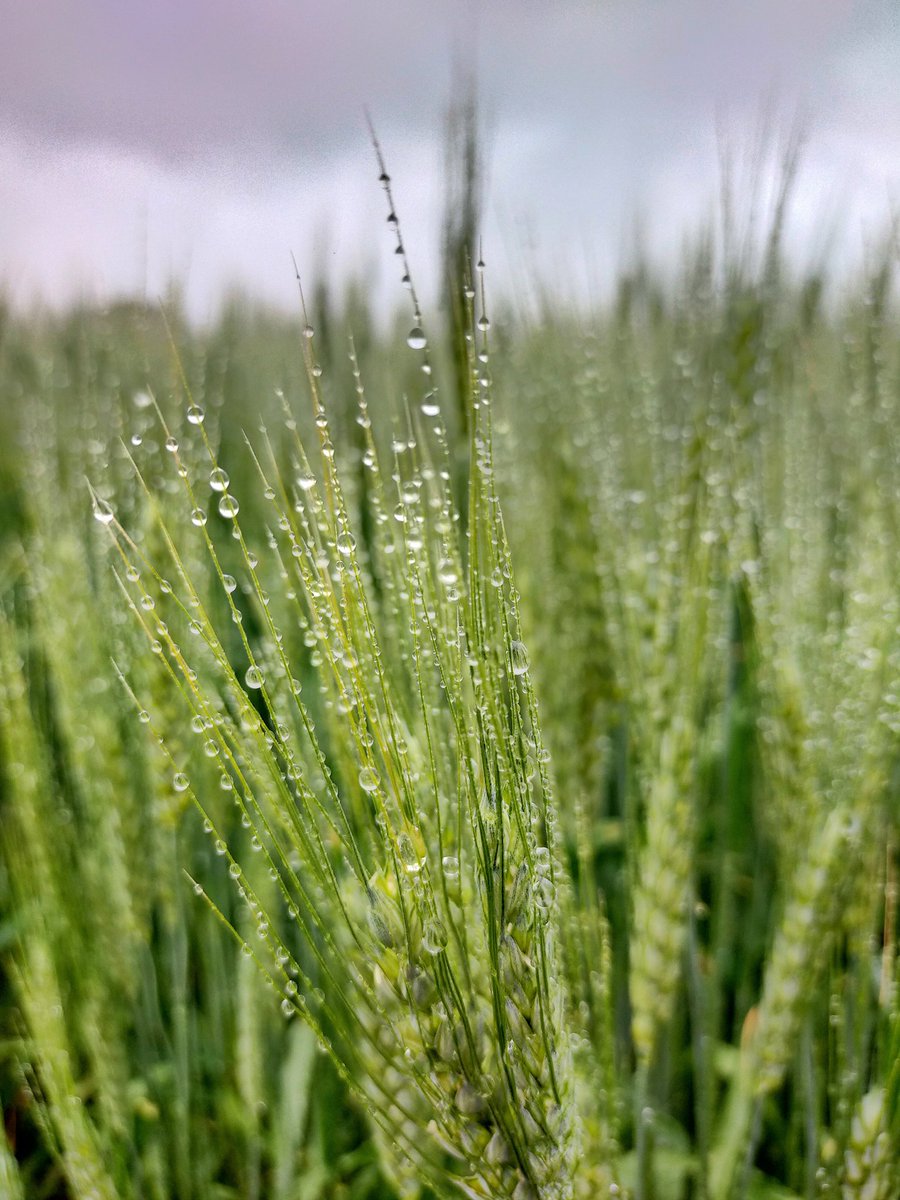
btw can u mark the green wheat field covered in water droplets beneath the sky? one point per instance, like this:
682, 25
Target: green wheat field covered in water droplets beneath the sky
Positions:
459, 760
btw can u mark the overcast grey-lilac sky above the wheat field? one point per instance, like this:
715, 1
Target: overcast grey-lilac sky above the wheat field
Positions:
206, 140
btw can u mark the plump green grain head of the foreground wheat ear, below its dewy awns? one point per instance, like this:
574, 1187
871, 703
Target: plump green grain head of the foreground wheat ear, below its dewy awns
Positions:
482, 1087
